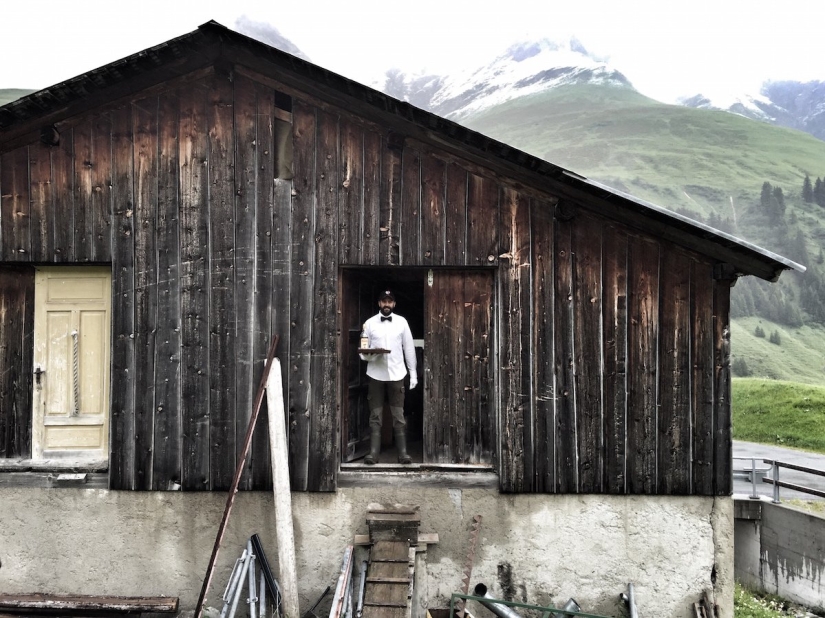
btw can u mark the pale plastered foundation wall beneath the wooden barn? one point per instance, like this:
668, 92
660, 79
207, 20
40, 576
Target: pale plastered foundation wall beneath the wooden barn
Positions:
536, 548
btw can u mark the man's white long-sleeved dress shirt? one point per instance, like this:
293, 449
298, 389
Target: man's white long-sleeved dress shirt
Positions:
393, 335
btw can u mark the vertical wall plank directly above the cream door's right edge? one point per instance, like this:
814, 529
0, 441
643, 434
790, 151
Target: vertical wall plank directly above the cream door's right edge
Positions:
99, 217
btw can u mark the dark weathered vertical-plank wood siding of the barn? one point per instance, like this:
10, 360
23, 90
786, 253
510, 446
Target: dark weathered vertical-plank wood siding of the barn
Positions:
609, 348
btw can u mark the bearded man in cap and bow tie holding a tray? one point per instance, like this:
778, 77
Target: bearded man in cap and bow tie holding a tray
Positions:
386, 372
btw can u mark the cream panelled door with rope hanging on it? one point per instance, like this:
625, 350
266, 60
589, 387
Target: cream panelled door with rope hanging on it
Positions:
72, 318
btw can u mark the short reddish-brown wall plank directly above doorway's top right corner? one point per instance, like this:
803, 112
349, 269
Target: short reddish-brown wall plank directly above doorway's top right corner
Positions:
483, 217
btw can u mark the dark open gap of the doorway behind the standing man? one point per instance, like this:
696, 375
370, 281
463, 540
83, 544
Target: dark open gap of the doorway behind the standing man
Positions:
360, 289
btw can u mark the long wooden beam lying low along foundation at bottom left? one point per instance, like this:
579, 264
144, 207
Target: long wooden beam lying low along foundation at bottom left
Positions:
62, 603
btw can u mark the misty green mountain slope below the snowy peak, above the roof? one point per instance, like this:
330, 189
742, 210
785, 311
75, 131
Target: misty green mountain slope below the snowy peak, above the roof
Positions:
684, 159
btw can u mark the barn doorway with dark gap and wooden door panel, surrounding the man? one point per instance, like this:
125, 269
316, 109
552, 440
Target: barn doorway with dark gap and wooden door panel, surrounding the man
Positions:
451, 414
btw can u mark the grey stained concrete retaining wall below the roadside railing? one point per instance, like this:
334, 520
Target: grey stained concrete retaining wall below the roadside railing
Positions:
783, 554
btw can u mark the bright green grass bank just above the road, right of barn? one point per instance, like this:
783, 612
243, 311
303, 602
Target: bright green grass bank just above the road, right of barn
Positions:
780, 413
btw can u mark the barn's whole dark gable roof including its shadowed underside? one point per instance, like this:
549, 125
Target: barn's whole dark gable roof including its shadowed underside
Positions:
215, 45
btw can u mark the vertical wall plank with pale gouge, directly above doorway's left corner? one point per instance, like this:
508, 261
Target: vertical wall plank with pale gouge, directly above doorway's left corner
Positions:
351, 215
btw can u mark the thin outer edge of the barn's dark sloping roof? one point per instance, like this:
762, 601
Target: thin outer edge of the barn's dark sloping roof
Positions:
53, 98
